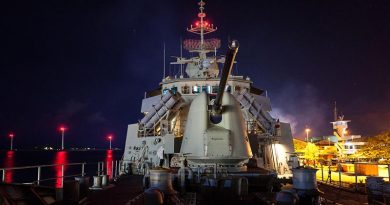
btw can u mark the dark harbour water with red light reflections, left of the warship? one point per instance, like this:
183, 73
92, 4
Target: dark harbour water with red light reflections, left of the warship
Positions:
32, 158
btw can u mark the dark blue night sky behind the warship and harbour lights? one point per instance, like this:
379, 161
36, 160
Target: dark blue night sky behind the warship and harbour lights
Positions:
87, 63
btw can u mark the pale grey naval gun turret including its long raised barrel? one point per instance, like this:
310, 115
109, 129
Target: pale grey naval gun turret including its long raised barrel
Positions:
217, 137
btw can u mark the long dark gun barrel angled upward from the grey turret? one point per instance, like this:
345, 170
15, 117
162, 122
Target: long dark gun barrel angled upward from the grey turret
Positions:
227, 68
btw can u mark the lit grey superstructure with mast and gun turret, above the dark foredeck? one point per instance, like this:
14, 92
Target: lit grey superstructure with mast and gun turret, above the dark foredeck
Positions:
181, 116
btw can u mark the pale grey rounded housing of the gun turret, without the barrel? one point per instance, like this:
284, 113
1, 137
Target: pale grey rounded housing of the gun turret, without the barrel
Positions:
225, 143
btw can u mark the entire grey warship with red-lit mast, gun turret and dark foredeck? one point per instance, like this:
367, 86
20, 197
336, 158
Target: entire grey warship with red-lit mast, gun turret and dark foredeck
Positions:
207, 126
